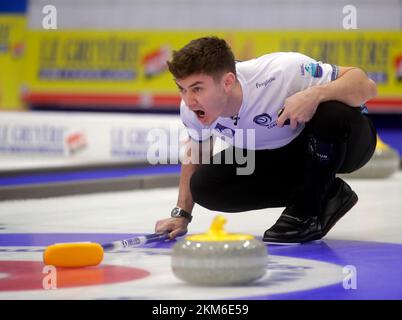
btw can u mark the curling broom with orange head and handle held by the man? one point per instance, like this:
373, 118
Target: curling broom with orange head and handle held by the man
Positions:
85, 254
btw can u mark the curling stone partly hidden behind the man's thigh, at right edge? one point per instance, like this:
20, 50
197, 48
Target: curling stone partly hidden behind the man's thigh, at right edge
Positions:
384, 162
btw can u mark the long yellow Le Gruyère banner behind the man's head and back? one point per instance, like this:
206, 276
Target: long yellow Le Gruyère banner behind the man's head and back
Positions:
134, 62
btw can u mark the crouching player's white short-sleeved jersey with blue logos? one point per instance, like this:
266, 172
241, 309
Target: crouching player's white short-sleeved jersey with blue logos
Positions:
266, 82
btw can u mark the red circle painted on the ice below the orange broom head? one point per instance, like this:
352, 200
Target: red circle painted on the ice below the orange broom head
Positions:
32, 275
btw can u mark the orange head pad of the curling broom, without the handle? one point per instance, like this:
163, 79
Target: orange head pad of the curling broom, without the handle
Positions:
73, 254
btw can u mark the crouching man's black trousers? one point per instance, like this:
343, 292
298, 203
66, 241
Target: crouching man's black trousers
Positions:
338, 139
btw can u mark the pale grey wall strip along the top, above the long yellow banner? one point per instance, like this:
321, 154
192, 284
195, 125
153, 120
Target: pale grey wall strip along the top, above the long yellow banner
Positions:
222, 14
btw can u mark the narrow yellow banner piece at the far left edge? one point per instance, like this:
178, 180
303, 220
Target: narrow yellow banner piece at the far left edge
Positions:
12, 34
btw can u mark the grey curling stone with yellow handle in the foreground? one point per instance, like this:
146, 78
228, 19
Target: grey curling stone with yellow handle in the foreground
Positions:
218, 258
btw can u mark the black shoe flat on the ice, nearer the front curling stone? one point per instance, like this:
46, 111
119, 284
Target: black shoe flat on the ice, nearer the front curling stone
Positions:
291, 229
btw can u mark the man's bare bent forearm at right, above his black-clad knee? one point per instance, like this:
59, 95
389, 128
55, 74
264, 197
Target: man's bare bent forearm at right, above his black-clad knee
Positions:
353, 88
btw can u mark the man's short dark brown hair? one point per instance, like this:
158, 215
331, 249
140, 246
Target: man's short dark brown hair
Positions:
208, 55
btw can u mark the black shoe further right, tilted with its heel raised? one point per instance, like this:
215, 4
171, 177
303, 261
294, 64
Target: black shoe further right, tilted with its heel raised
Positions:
342, 200
